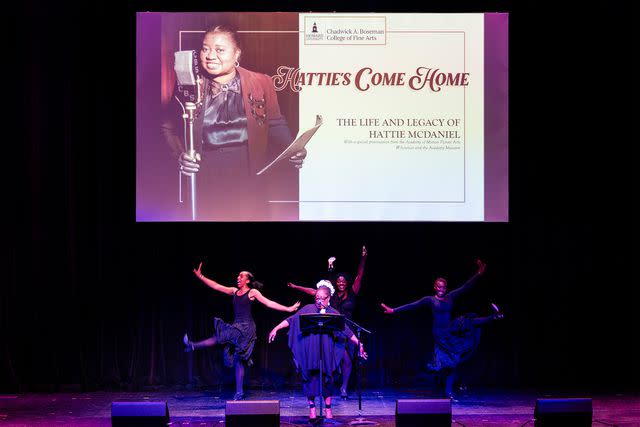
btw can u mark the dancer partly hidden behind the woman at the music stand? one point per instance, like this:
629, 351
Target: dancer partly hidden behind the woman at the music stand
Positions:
344, 300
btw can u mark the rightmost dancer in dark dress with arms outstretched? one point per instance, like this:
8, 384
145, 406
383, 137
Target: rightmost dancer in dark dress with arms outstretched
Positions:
454, 340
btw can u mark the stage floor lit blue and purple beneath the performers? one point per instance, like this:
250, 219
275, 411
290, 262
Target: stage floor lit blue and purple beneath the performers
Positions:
206, 408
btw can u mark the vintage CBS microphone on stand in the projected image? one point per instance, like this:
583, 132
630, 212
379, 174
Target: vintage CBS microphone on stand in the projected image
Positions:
189, 96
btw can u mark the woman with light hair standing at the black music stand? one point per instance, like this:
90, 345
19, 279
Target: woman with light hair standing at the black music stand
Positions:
306, 351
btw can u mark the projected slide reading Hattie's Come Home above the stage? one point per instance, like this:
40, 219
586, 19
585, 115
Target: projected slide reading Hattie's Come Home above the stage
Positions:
322, 117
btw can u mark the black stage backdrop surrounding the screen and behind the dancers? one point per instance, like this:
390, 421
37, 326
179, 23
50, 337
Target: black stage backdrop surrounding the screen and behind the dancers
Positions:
92, 300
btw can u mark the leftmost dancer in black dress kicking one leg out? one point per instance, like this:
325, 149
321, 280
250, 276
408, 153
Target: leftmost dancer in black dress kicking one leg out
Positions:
240, 336
